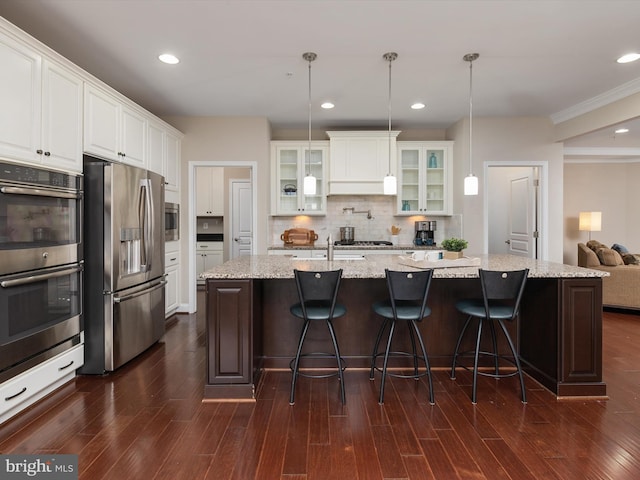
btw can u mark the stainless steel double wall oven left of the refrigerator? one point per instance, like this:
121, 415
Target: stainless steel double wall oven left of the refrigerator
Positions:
41, 265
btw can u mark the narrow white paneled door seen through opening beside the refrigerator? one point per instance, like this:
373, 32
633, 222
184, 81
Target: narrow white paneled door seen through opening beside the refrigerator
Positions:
241, 218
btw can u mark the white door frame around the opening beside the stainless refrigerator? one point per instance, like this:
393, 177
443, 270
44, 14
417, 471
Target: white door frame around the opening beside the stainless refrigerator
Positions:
191, 248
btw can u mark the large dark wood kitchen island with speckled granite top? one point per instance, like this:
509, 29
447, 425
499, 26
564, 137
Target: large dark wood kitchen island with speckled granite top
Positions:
249, 327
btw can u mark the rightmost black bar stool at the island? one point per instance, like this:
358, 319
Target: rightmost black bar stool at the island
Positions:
501, 292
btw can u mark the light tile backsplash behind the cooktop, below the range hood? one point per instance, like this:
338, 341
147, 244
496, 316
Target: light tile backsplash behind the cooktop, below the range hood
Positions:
377, 228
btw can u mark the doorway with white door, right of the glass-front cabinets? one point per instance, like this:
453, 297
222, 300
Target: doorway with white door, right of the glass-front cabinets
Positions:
515, 209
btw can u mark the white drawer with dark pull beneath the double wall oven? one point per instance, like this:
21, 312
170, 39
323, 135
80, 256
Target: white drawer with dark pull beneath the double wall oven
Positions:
30, 386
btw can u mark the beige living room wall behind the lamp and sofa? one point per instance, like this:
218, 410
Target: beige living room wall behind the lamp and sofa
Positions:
610, 188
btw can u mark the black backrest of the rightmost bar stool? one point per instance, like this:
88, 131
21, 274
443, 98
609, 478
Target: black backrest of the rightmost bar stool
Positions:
506, 286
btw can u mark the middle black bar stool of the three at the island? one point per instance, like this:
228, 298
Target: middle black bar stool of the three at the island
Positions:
407, 303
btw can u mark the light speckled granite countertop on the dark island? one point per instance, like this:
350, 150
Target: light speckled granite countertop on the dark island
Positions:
282, 266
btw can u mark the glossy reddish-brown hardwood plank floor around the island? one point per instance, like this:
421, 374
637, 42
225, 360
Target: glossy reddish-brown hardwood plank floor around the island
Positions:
147, 421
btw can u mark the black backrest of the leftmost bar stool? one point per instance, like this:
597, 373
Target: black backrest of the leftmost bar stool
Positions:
318, 288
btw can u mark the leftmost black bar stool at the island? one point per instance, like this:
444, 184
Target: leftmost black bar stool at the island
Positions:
318, 293
